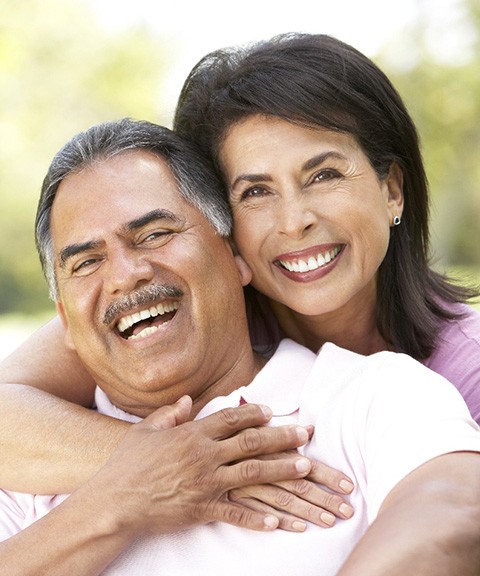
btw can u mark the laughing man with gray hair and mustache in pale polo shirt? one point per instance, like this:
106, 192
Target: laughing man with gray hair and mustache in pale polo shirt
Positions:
151, 296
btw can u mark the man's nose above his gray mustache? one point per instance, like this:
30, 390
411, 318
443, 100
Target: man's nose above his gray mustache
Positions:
126, 270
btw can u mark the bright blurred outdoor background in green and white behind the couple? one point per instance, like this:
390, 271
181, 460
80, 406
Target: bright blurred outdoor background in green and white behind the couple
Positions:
68, 64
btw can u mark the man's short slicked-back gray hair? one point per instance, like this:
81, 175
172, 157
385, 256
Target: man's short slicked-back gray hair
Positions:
196, 180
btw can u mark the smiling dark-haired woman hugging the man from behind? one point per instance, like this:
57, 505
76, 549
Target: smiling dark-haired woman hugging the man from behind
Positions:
299, 224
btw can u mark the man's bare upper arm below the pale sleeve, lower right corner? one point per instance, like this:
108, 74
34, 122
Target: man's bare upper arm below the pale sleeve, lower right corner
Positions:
429, 525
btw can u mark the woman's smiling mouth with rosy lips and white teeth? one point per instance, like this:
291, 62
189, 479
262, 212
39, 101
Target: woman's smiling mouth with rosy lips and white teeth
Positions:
311, 264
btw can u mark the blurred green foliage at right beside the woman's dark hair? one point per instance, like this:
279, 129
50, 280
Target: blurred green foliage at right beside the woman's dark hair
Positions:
442, 92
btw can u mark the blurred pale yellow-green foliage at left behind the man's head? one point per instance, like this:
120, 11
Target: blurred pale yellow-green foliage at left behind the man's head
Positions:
59, 73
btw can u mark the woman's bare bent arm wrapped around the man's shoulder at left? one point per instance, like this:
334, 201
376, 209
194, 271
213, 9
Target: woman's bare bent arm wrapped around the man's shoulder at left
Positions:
49, 444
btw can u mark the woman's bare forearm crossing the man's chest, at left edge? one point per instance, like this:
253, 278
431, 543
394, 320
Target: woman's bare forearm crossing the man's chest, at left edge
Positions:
49, 445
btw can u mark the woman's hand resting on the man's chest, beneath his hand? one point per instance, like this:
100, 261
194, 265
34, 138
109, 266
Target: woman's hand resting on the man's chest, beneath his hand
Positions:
319, 498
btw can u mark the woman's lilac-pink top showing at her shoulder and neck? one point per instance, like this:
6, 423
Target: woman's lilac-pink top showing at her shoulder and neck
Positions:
457, 356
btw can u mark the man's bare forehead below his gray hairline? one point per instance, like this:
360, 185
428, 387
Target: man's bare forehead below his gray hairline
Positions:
120, 193
